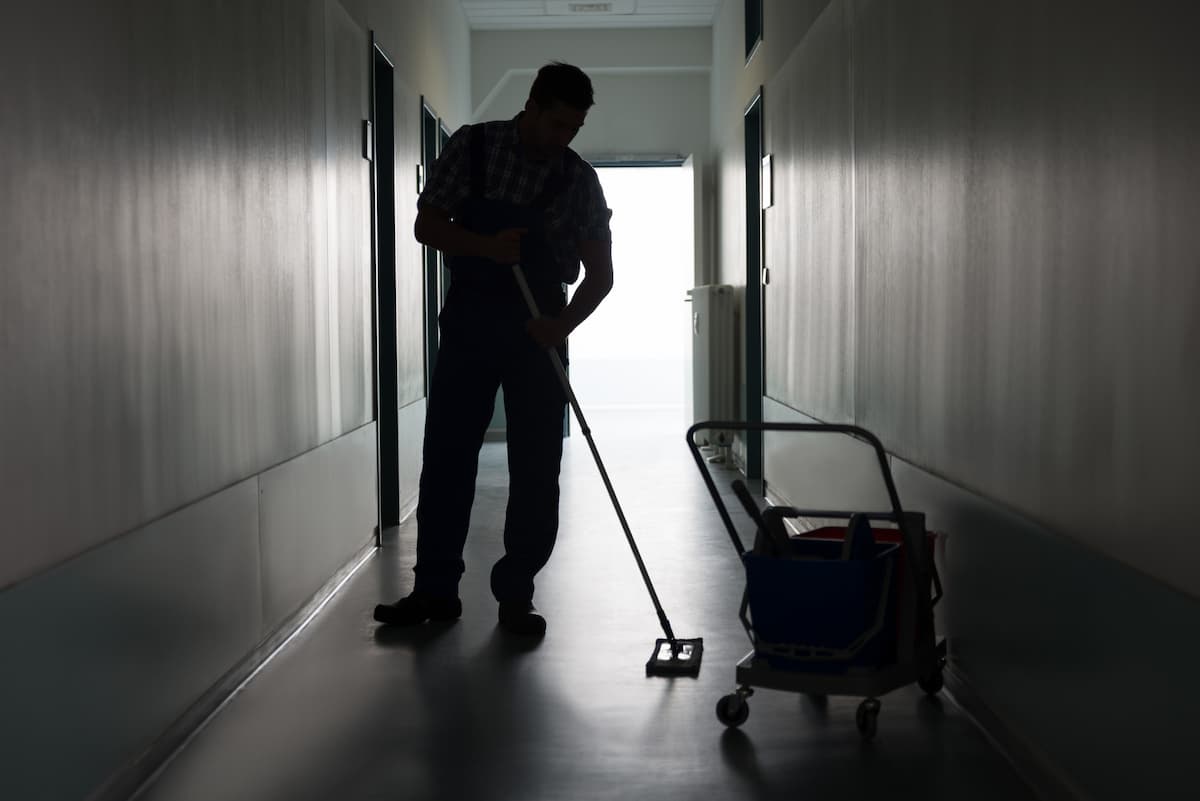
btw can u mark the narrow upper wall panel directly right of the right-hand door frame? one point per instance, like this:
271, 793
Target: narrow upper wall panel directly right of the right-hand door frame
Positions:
809, 305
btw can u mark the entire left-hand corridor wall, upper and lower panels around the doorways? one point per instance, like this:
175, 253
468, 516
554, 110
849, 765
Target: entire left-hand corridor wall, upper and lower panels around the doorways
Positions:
188, 439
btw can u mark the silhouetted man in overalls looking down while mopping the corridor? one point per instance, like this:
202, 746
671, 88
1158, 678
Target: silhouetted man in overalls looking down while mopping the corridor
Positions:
503, 194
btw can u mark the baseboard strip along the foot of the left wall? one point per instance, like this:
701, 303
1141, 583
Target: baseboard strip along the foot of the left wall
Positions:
130, 781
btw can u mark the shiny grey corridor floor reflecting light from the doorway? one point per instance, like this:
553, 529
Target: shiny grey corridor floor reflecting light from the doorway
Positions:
350, 712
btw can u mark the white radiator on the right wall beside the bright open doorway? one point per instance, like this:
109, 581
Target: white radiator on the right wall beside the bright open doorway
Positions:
715, 383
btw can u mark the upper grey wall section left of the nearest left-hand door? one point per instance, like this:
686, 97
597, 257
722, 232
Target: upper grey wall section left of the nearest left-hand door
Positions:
167, 318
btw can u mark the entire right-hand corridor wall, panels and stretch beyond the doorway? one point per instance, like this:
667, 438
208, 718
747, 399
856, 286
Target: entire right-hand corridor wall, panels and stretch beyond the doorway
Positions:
981, 250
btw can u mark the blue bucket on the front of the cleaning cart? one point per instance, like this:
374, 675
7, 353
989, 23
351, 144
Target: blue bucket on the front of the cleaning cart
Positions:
815, 612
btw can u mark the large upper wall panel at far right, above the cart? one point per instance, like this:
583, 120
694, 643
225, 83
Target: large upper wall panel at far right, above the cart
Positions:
1029, 263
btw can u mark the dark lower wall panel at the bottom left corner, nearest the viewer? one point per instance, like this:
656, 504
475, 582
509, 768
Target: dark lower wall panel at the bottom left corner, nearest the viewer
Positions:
107, 651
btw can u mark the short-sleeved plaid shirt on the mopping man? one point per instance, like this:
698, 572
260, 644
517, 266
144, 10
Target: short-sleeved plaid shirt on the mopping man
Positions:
579, 214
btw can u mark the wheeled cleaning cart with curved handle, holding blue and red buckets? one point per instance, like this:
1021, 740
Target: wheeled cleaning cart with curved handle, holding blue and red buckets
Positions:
837, 603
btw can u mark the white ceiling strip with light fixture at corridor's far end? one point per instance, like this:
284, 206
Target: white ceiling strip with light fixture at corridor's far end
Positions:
543, 15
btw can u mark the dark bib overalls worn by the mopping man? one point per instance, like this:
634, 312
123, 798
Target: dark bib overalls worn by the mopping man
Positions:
485, 346
